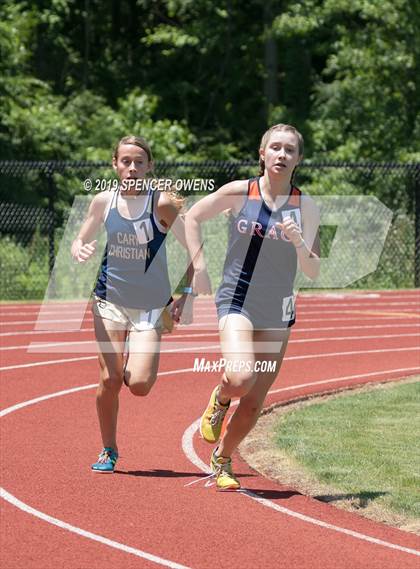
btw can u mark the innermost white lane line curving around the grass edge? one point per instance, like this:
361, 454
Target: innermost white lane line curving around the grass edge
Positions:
189, 451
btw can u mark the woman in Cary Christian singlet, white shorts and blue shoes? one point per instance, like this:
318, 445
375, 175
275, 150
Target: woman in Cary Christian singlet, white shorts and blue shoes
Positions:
133, 288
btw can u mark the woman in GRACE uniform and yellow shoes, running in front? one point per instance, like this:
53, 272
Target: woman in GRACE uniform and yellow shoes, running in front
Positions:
274, 227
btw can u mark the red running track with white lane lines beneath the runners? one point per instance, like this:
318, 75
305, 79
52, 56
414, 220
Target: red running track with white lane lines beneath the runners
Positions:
57, 513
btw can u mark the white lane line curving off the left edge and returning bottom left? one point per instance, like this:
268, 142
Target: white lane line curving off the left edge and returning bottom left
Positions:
63, 525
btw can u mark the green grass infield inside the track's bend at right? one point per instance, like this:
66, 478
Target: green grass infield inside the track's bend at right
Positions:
364, 444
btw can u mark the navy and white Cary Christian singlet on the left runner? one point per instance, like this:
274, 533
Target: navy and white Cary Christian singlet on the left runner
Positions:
134, 271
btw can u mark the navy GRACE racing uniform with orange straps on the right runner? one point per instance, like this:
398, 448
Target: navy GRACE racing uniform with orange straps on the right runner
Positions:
261, 263
